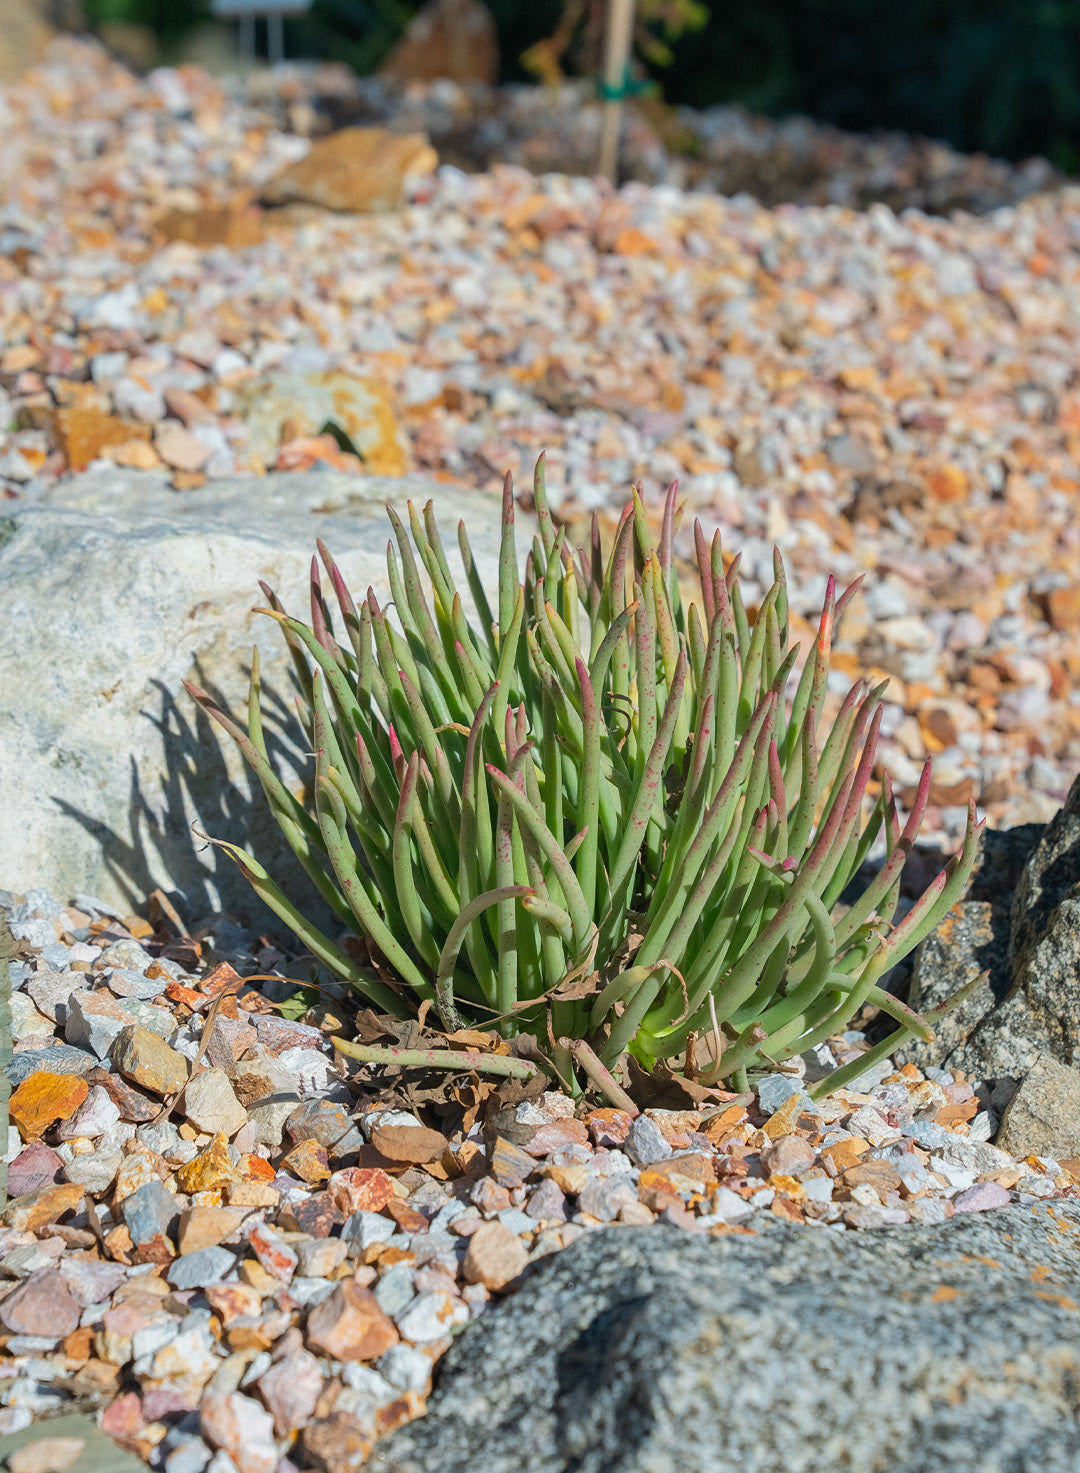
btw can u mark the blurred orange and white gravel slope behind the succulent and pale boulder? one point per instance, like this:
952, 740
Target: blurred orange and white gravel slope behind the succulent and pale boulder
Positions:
873, 393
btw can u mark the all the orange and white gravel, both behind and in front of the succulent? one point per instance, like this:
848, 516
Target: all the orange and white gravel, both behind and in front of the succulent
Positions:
880, 393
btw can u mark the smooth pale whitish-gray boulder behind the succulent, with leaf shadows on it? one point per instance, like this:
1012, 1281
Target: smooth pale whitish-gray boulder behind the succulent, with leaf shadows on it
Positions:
113, 591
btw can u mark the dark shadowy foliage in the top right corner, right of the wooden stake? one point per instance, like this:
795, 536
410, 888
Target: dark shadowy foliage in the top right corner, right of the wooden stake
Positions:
994, 76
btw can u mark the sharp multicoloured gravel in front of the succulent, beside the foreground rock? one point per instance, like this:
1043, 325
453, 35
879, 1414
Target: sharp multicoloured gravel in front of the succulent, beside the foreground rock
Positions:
288, 1245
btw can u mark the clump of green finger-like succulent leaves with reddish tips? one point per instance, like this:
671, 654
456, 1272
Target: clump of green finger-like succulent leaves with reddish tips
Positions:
599, 812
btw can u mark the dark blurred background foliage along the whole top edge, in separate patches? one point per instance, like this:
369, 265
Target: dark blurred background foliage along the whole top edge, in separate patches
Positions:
997, 76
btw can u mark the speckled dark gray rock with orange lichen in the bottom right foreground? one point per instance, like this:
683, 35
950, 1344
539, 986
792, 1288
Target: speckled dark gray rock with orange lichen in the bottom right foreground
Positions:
652, 1351
